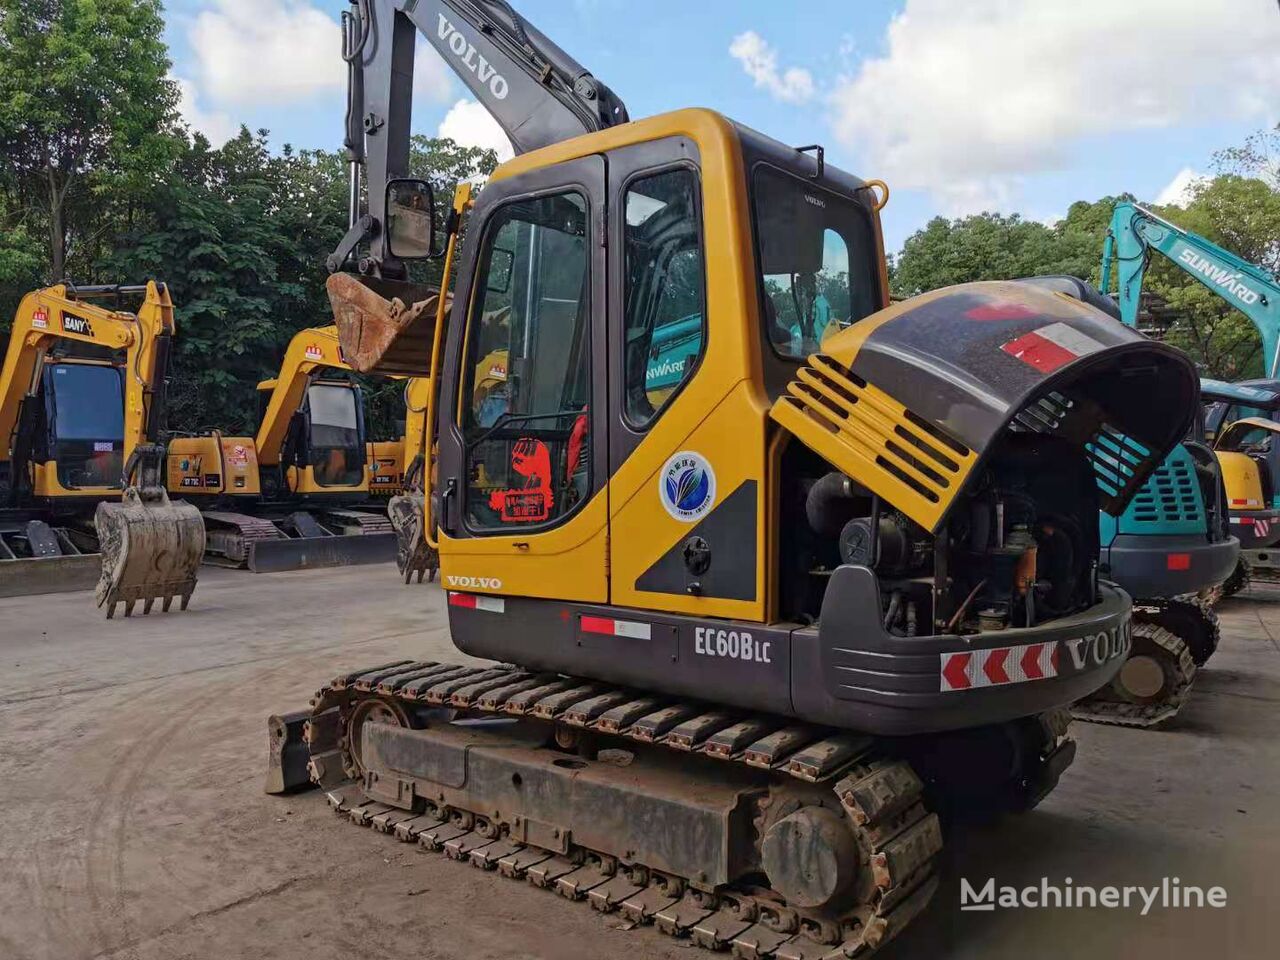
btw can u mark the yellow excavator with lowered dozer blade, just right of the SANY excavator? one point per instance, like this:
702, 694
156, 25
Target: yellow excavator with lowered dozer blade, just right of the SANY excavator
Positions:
298, 495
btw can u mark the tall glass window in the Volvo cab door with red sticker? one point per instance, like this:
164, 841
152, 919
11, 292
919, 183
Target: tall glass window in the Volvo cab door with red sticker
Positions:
524, 413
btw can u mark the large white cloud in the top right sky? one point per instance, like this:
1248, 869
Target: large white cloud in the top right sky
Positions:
971, 95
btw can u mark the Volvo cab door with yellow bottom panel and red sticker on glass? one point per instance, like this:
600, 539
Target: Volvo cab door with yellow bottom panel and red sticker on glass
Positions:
523, 493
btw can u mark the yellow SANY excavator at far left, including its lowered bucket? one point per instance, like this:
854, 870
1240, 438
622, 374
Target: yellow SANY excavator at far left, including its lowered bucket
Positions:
81, 410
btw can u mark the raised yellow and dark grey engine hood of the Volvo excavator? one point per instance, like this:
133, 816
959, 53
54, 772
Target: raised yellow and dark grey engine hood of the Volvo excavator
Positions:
912, 399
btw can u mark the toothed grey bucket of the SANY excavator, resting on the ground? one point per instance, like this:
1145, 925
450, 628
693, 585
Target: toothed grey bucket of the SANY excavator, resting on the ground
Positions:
152, 547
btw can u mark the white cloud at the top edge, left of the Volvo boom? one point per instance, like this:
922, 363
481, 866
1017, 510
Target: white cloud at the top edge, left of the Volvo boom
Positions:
267, 52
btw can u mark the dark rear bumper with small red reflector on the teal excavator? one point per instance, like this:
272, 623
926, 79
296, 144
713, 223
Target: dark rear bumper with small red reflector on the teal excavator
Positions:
1151, 566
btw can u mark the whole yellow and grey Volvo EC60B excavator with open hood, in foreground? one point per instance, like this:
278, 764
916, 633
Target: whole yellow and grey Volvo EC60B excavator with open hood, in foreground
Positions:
751, 628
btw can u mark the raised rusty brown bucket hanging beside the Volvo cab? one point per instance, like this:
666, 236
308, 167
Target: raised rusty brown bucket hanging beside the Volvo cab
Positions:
385, 327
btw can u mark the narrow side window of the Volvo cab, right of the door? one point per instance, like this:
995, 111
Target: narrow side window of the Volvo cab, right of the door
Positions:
665, 326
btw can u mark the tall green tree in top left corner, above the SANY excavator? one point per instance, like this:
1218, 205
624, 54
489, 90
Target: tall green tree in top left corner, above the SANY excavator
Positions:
86, 104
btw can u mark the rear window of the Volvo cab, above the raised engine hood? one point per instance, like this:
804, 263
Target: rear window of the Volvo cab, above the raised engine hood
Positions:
817, 262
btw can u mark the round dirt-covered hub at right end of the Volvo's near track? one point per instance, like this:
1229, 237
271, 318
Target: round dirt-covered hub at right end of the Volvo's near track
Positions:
811, 857
